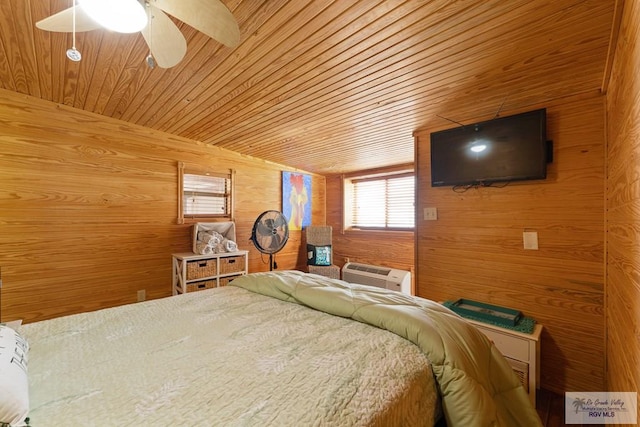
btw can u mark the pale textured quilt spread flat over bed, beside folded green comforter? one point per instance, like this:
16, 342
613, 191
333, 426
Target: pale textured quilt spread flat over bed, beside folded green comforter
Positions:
224, 357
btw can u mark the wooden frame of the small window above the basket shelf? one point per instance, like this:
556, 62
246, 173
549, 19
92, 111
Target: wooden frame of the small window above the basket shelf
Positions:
184, 169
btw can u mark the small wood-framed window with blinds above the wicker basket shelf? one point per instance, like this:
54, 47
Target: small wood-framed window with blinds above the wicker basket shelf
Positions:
204, 194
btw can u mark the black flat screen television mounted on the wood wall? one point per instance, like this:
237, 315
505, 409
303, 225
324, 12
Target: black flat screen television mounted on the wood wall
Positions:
511, 148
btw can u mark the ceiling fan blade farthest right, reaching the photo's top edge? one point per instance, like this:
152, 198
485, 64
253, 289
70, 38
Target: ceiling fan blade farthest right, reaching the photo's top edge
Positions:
210, 17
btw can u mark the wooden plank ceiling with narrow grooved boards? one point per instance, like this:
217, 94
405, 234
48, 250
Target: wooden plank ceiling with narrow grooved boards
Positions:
325, 86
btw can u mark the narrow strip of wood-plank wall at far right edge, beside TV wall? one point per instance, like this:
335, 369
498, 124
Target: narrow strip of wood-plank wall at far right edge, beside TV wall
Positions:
623, 209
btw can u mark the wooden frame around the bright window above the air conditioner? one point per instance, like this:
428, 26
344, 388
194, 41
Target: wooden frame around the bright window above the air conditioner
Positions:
348, 197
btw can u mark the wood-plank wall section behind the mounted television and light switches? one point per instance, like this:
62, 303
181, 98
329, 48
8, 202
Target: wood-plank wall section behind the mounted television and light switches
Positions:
475, 248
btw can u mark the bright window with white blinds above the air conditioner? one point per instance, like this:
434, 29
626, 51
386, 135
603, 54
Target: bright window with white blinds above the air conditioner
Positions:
383, 202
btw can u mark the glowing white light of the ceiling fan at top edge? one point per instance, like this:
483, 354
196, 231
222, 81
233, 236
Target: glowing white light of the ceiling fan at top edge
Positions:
122, 16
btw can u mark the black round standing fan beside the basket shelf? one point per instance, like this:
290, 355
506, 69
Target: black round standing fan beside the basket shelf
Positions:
270, 233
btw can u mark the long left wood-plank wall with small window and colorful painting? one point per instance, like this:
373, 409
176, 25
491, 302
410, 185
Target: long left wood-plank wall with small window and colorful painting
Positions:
88, 208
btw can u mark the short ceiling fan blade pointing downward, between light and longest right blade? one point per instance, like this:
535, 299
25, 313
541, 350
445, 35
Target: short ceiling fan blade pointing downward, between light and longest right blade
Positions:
166, 42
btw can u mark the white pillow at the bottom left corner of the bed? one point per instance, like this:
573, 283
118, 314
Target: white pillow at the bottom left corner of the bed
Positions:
14, 387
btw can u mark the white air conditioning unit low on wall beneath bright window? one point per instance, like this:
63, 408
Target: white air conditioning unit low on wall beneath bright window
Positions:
381, 277
